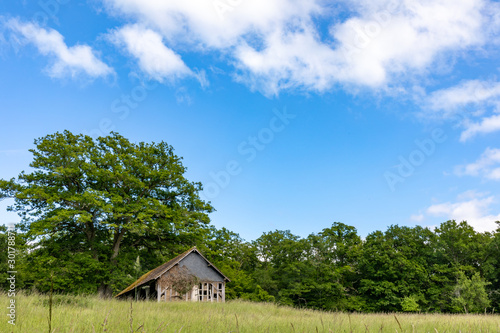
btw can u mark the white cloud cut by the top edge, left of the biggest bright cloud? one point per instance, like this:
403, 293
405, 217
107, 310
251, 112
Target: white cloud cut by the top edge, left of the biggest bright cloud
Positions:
202, 21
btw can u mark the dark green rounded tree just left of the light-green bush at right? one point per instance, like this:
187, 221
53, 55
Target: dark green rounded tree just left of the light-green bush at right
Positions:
394, 265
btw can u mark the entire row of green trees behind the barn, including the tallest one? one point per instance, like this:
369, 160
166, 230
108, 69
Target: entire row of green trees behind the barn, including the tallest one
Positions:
99, 213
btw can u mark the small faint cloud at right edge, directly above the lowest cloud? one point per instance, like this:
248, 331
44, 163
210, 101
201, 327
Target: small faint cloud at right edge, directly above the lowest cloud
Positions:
487, 166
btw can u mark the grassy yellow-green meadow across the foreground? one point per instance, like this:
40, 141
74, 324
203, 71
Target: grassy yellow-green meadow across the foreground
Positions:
90, 314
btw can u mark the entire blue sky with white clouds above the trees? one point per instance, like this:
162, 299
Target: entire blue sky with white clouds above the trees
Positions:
293, 114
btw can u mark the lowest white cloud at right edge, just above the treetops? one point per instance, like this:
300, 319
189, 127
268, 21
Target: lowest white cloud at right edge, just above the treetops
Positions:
475, 210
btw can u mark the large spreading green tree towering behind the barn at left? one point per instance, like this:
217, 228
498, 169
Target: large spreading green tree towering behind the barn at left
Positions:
97, 196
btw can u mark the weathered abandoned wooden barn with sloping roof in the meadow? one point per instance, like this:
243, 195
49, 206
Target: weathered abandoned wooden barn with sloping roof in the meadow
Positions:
189, 277
